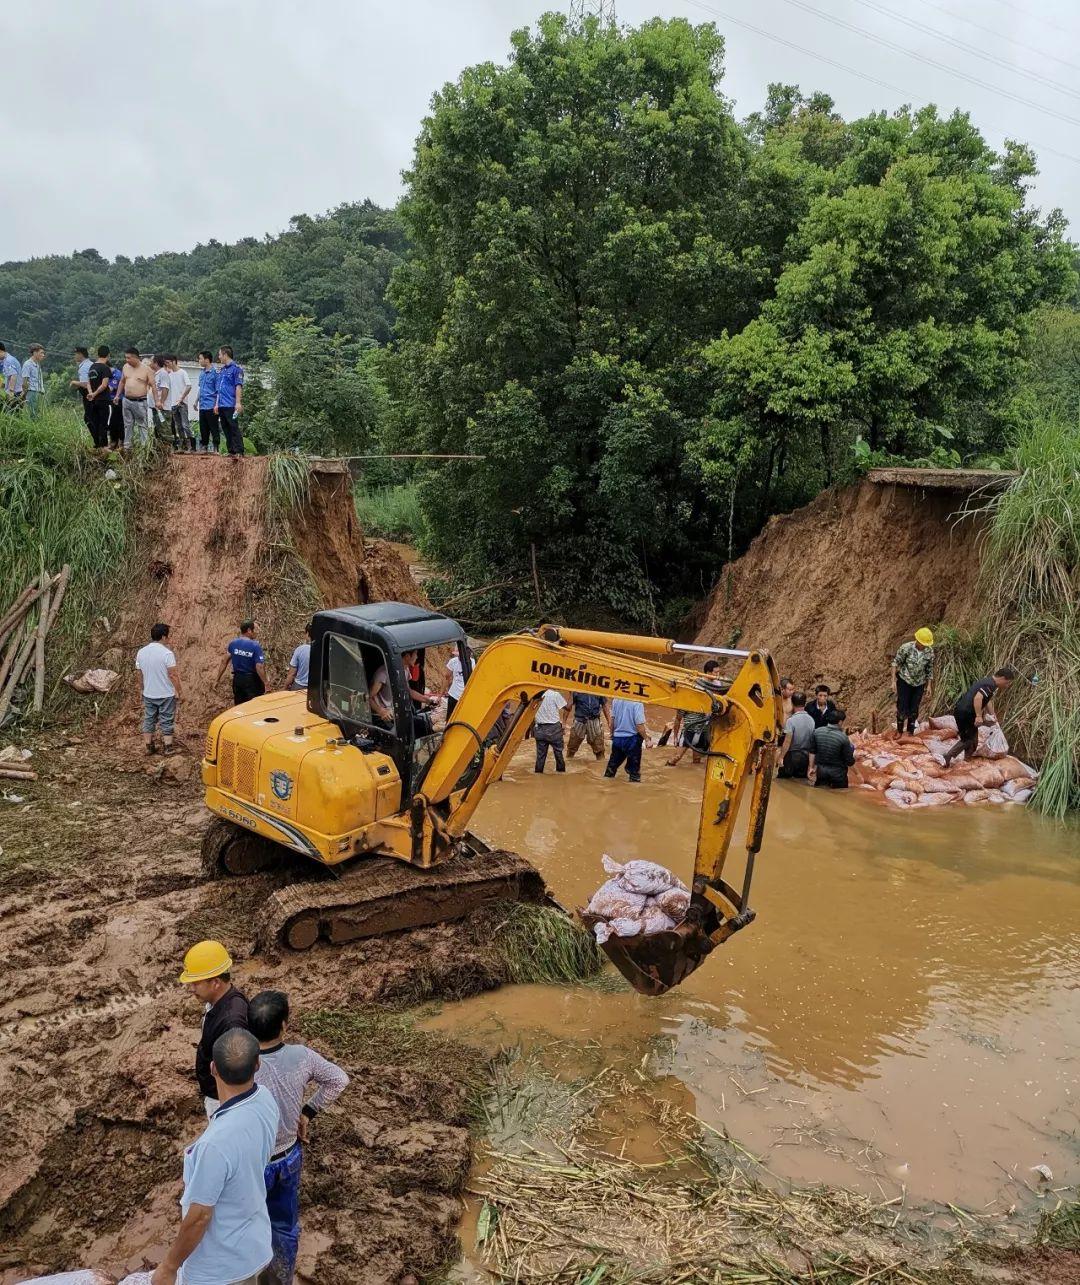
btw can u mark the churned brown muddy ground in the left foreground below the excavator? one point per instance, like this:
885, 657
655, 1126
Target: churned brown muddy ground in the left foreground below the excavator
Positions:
101, 894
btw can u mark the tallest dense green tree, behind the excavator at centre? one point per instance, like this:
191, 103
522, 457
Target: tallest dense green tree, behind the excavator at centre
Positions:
575, 219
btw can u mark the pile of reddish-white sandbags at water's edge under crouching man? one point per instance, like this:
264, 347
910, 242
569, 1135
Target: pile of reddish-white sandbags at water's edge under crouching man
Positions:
906, 769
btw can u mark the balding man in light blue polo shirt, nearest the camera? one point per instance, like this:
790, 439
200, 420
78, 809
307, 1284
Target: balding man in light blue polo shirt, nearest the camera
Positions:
226, 1229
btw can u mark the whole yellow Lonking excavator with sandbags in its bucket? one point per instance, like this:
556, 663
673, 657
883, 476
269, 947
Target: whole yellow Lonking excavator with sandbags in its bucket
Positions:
381, 802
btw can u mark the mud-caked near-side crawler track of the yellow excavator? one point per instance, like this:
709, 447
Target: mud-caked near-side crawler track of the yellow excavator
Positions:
382, 895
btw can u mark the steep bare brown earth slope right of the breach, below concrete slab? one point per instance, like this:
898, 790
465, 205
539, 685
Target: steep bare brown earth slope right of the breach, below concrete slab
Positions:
834, 588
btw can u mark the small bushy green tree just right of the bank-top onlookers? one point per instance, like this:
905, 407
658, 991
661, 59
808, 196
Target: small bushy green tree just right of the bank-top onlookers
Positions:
326, 394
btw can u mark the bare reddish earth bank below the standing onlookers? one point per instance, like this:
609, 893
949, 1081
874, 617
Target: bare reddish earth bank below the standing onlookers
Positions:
210, 553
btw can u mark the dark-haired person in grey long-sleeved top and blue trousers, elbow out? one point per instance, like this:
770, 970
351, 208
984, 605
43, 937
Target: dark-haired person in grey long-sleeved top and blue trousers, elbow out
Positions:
287, 1071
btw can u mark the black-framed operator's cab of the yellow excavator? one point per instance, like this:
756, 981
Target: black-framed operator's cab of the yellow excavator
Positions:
359, 679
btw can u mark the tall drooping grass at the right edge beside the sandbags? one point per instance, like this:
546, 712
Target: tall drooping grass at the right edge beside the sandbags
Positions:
1032, 581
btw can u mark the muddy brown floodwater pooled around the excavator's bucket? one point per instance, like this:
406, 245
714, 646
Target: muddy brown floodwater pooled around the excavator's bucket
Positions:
903, 1017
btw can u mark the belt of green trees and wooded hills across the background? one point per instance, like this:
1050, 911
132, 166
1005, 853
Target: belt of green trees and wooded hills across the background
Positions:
655, 323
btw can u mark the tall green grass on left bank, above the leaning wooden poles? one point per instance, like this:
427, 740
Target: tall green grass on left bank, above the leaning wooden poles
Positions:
58, 507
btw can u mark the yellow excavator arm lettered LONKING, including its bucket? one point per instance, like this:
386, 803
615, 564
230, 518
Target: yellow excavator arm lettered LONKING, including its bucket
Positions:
745, 714
